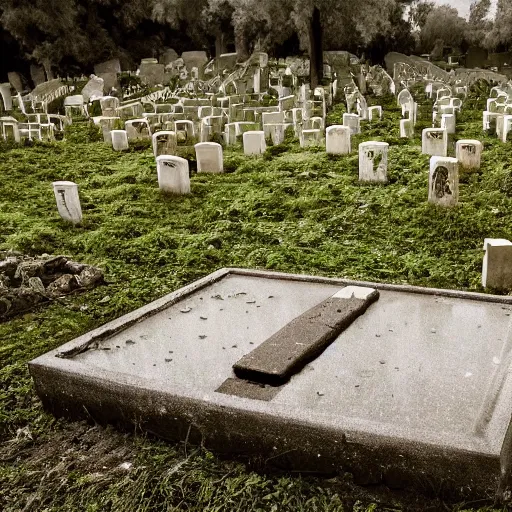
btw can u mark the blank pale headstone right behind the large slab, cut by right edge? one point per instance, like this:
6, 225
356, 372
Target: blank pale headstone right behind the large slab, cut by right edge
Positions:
497, 264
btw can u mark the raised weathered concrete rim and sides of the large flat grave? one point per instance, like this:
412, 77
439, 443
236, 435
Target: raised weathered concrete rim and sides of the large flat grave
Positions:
234, 426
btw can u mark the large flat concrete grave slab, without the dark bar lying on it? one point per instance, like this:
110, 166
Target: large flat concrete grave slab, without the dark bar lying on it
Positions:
414, 392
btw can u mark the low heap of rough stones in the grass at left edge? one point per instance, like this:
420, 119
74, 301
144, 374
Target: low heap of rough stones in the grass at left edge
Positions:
27, 281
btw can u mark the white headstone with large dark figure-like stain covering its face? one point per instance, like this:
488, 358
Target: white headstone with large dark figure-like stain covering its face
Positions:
443, 182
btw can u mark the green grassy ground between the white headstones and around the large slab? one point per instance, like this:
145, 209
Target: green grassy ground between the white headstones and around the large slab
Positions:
292, 210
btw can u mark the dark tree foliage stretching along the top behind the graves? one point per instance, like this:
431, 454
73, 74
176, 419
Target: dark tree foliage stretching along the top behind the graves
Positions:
70, 35
